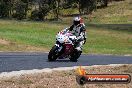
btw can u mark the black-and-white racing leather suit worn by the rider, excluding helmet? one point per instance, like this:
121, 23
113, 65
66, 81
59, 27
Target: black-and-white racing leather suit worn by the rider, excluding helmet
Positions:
80, 32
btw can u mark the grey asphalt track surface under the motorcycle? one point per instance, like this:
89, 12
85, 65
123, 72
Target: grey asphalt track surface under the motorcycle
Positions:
28, 61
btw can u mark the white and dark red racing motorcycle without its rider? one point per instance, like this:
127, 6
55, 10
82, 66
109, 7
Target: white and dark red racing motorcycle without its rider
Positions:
64, 47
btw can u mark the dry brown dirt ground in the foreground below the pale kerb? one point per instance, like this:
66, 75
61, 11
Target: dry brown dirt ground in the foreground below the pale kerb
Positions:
65, 79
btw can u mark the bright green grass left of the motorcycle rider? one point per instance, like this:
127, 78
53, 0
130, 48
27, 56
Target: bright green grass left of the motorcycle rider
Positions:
32, 33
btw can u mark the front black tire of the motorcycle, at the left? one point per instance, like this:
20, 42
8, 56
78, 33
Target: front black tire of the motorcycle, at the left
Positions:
52, 54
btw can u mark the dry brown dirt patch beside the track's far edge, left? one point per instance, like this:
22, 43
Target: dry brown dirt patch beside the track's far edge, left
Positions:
7, 46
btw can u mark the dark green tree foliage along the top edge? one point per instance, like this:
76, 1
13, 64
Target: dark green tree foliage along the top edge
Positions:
40, 8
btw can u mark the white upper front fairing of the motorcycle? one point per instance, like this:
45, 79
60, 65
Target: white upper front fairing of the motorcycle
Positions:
65, 37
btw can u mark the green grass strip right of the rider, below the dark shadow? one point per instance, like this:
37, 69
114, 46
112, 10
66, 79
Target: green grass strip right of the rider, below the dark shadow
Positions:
107, 41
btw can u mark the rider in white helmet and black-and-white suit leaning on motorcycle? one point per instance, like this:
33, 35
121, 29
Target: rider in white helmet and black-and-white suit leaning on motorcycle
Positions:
78, 29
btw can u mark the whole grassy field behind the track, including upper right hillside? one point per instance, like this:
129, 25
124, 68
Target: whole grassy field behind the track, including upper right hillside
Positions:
109, 32
